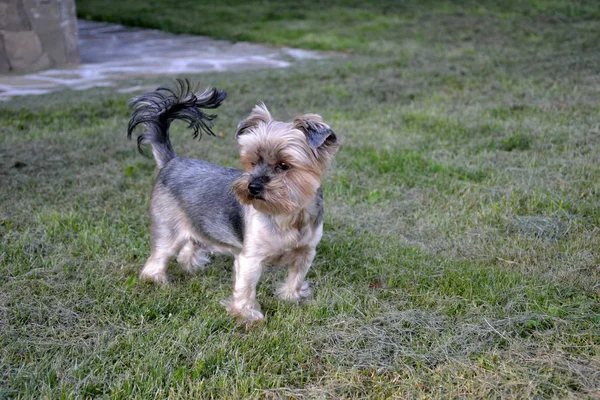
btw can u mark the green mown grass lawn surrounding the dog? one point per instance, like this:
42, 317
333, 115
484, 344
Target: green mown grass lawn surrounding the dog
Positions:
462, 234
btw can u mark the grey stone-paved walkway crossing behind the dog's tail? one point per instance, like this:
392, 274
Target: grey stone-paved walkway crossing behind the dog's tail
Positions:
112, 52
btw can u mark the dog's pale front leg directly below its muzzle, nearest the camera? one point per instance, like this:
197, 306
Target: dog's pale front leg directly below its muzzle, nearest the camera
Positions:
247, 273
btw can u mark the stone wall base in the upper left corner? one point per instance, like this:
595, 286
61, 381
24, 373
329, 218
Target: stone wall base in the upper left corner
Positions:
37, 34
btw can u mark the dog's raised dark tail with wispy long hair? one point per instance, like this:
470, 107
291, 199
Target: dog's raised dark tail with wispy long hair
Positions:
156, 110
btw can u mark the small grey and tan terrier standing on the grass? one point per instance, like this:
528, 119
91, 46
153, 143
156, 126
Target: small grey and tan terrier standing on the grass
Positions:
269, 213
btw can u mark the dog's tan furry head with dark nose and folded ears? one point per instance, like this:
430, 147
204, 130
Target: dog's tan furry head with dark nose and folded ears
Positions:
283, 161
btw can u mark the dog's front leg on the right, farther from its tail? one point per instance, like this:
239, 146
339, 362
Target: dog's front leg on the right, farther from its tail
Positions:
295, 288
